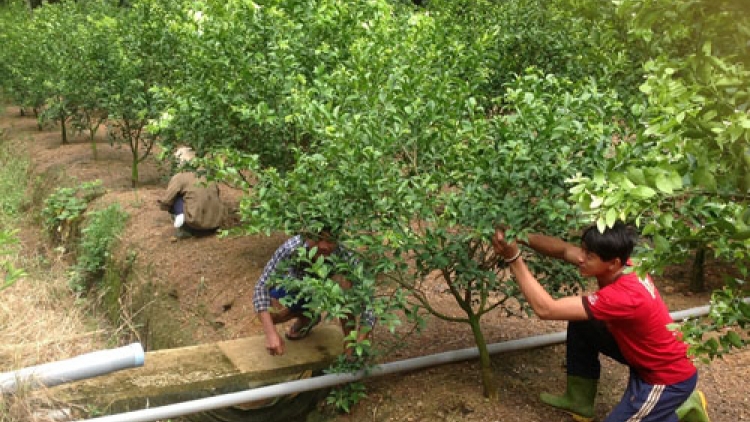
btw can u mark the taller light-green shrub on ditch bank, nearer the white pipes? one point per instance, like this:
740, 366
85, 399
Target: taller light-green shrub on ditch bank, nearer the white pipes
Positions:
97, 240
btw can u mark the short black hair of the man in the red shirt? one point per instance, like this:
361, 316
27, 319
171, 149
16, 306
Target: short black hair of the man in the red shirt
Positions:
616, 242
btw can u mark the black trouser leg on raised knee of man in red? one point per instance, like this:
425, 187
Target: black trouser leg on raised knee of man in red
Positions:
586, 339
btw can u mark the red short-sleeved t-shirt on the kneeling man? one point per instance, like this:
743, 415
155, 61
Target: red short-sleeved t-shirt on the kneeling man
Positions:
636, 316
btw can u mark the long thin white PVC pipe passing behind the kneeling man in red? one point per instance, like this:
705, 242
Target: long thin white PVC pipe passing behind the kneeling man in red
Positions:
325, 381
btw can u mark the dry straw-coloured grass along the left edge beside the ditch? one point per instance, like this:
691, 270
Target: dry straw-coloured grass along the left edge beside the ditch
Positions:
41, 320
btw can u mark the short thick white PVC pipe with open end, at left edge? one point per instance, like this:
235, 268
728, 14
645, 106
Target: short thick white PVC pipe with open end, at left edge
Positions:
80, 367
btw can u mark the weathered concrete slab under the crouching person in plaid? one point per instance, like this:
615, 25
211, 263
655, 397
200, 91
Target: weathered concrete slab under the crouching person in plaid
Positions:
173, 375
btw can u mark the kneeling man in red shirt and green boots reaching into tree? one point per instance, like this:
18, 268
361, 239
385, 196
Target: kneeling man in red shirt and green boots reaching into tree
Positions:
625, 319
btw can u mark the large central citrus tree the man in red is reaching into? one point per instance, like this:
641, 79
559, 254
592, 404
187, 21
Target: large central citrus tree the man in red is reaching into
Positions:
417, 165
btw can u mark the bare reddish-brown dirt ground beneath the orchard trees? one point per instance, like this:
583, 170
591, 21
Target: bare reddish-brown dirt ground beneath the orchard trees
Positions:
210, 279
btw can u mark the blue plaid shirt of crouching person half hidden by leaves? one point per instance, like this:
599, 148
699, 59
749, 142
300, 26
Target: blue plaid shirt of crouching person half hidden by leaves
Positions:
288, 250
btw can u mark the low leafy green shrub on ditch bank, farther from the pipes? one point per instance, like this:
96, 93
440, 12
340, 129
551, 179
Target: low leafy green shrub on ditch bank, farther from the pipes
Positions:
64, 208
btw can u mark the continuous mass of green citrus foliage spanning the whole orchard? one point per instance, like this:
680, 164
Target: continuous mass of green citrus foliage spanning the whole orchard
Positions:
417, 130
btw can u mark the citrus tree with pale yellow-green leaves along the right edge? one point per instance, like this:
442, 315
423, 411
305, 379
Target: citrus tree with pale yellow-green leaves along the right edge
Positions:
685, 174
